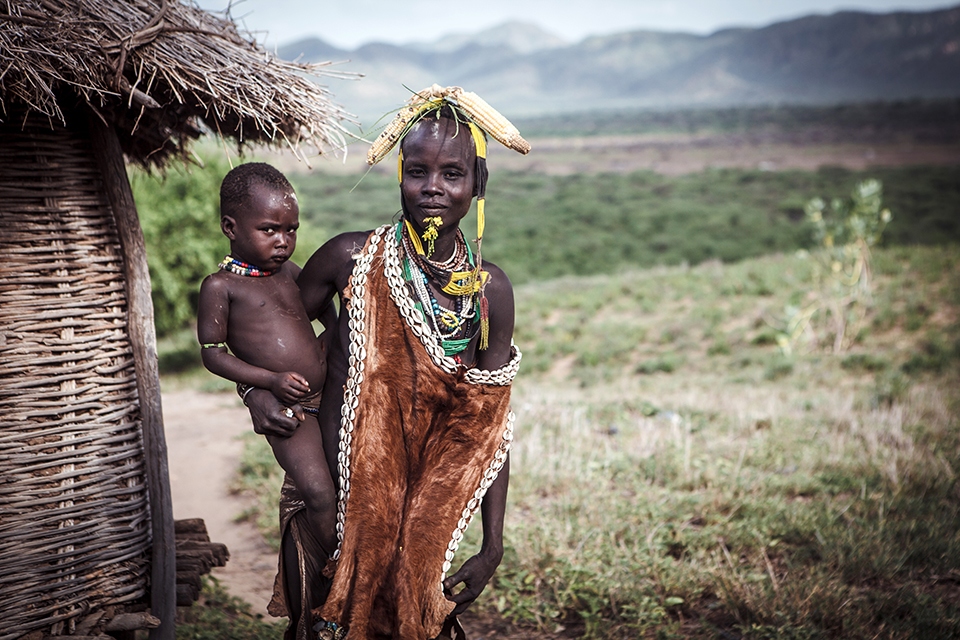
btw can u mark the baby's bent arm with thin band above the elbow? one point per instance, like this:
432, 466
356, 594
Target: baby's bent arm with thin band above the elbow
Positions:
212, 316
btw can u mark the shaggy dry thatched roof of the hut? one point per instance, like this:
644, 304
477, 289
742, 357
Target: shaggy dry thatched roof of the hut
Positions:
160, 71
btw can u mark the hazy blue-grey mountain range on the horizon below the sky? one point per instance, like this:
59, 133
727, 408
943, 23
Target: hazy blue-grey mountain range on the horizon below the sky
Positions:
843, 57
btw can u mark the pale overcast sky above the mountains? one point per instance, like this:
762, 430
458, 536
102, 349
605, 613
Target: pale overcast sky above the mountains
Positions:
349, 23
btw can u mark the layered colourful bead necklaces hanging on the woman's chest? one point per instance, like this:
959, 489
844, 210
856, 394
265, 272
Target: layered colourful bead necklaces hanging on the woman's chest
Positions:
454, 327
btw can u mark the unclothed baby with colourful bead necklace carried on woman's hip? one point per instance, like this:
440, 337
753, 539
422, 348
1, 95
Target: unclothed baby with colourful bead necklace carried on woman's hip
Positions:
252, 305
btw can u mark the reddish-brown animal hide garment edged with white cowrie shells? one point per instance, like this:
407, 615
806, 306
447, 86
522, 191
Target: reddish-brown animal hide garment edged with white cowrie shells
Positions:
422, 440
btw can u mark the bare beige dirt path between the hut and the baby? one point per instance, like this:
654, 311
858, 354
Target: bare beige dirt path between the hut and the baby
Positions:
203, 451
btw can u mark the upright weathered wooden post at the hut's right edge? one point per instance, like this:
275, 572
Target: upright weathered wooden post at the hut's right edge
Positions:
163, 584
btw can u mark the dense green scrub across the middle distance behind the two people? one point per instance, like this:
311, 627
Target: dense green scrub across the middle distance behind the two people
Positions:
543, 227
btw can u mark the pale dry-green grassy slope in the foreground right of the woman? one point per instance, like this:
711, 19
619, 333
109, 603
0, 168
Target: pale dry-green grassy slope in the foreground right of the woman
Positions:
663, 486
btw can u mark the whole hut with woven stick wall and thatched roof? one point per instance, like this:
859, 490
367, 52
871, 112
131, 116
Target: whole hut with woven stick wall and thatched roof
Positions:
86, 528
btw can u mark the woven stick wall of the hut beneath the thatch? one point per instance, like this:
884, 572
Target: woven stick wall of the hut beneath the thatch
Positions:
74, 520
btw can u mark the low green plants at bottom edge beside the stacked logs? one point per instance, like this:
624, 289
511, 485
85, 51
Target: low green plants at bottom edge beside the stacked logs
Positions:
220, 616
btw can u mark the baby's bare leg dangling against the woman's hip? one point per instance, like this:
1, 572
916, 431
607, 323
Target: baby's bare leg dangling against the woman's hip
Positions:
301, 456
